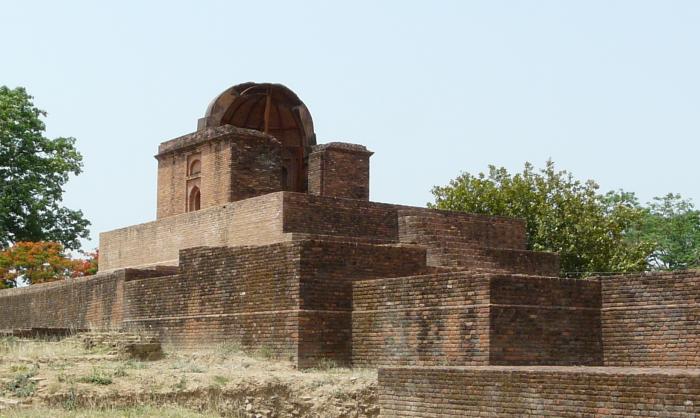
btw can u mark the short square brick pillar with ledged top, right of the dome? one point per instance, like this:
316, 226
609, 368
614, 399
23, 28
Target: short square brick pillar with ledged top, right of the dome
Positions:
339, 169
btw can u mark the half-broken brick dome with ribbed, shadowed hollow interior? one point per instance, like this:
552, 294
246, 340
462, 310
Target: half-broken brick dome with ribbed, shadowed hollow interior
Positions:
275, 110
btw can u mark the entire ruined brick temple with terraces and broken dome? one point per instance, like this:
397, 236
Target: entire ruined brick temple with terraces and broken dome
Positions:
265, 238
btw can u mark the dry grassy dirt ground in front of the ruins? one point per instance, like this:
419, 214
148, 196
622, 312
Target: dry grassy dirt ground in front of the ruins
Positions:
64, 379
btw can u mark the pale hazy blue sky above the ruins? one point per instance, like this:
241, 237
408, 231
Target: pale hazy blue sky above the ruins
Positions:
609, 90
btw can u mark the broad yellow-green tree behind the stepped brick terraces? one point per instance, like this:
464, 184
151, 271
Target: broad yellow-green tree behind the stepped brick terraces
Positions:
589, 230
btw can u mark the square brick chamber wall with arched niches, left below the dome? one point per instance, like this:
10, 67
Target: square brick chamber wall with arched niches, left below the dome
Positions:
235, 164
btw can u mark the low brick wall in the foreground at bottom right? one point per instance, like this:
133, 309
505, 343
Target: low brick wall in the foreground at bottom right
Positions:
538, 391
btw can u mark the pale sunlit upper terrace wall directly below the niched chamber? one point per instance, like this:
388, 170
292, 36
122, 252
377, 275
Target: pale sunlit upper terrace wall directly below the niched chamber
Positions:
253, 221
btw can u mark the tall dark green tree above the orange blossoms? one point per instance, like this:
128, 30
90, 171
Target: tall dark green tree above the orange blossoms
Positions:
34, 170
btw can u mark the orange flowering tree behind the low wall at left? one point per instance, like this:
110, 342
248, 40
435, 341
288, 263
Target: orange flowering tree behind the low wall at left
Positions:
40, 262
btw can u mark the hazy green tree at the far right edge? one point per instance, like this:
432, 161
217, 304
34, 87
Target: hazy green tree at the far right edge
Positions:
673, 225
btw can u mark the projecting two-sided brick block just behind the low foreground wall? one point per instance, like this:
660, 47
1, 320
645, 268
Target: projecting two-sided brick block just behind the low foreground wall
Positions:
464, 318
